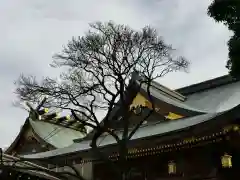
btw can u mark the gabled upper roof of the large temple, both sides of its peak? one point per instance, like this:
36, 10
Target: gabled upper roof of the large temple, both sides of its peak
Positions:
215, 95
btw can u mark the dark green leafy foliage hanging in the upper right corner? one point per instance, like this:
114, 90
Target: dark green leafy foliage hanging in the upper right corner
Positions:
228, 12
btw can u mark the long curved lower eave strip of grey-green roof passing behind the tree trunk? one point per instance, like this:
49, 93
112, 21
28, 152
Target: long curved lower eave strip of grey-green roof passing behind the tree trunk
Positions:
158, 129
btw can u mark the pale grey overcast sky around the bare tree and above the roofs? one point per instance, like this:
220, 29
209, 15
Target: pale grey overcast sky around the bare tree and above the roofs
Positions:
33, 30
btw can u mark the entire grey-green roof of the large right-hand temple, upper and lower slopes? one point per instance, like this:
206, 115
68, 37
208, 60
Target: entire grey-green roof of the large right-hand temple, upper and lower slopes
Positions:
216, 99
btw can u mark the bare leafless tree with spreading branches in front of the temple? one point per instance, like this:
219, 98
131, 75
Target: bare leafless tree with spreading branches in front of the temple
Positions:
97, 77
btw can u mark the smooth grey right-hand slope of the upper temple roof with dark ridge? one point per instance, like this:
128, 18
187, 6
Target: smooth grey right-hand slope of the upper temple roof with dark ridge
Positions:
215, 95
